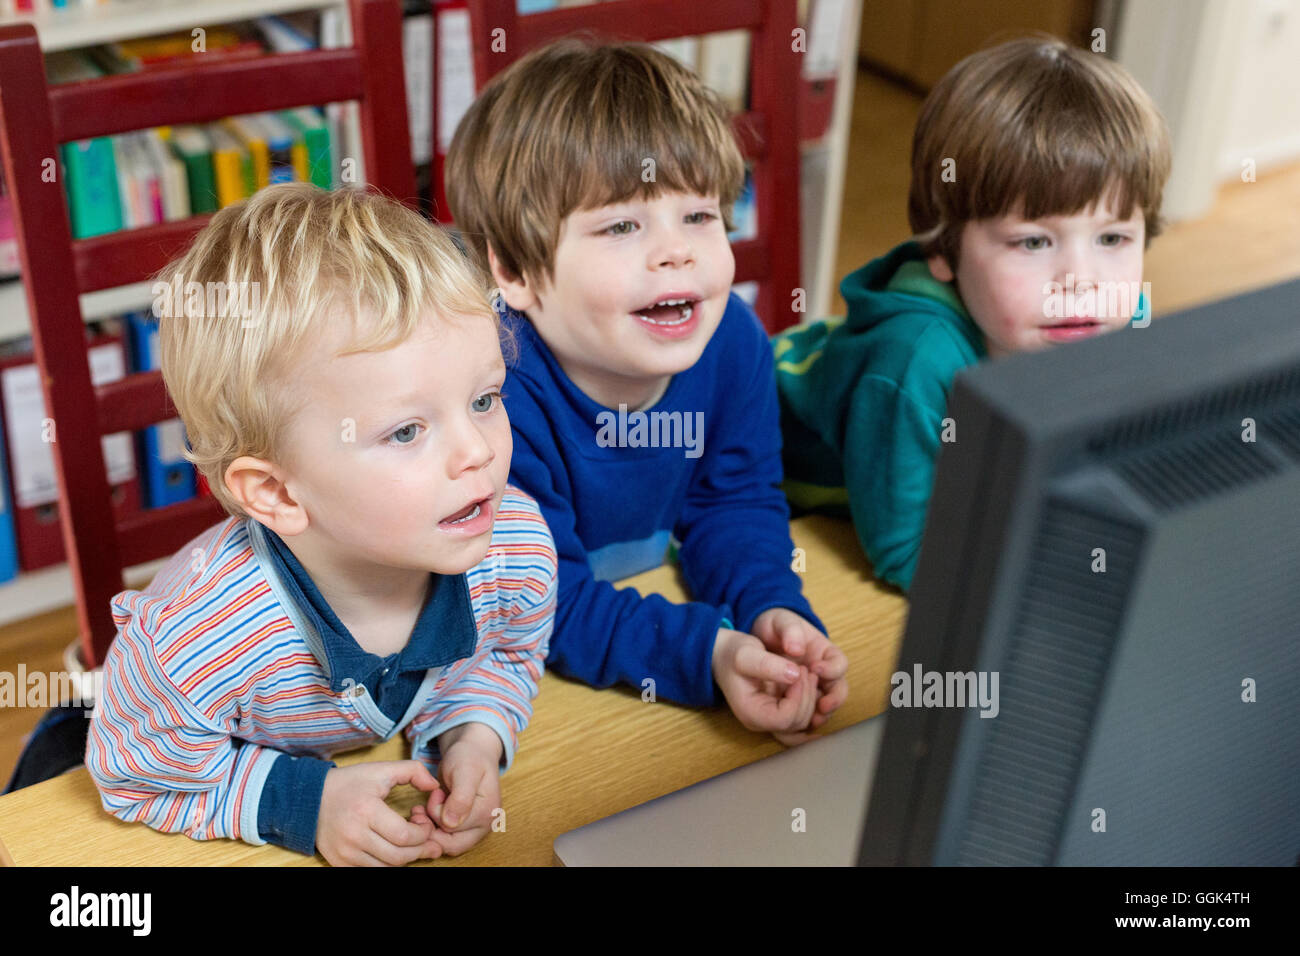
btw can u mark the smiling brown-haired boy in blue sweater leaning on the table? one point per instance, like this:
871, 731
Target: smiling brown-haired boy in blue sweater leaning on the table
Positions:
595, 183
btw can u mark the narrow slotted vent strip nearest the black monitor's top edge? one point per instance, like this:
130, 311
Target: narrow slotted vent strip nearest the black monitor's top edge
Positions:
1177, 418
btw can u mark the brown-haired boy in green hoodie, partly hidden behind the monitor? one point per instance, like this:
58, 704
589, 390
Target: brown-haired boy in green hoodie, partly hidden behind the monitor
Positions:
1037, 179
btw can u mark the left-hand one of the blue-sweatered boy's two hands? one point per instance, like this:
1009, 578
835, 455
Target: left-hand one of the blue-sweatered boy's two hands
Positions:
764, 690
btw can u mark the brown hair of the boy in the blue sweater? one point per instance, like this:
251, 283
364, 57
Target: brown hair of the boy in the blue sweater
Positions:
571, 127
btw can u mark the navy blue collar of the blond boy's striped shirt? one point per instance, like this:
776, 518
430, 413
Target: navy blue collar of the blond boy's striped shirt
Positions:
444, 633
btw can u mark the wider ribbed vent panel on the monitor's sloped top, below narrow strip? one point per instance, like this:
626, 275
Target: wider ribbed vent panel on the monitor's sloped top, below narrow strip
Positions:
1178, 474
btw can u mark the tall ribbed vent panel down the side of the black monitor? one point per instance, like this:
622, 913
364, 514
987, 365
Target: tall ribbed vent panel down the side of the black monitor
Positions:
1048, 687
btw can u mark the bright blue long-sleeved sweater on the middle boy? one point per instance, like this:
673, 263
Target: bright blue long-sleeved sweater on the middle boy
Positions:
703, 466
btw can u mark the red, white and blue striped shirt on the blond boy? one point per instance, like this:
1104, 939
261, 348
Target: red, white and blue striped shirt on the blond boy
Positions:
216, 672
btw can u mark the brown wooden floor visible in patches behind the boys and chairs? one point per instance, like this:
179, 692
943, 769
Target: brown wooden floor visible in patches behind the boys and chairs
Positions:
1250, 239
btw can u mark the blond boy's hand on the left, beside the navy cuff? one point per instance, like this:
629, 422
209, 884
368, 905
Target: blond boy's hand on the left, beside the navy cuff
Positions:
356, 828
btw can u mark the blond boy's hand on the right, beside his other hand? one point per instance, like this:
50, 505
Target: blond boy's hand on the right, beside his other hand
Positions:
471, 762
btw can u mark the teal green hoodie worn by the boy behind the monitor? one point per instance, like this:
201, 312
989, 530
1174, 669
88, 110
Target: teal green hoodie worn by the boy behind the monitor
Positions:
864, 400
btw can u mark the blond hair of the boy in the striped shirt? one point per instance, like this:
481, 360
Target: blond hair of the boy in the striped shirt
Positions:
284, 263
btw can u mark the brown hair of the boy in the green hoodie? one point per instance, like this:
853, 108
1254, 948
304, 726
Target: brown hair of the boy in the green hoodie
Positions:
1035, 128
